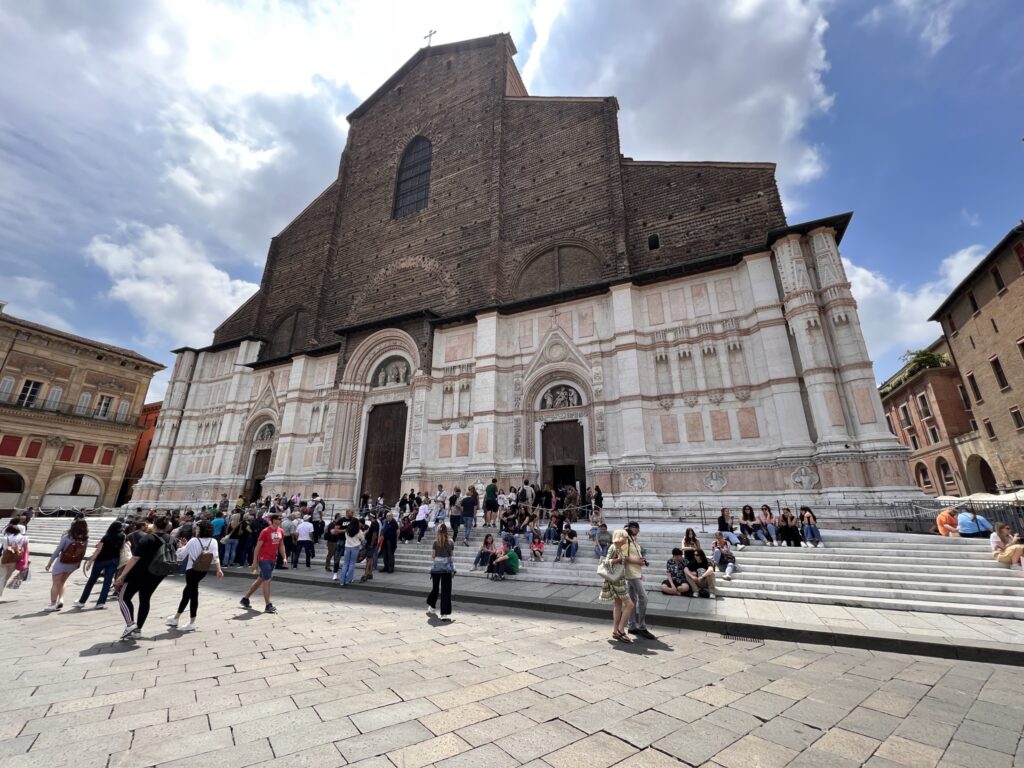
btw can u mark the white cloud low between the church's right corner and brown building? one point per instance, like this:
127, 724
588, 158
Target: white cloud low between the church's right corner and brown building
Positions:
894, 319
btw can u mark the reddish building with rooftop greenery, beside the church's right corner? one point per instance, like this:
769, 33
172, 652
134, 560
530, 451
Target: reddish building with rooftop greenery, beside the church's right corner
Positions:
927, 409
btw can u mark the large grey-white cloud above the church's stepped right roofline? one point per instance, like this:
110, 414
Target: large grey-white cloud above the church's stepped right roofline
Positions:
736, 80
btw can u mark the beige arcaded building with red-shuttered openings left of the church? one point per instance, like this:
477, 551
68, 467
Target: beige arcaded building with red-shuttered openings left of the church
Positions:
69, 413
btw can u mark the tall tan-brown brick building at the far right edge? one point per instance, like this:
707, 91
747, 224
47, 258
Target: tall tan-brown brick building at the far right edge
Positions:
984, 324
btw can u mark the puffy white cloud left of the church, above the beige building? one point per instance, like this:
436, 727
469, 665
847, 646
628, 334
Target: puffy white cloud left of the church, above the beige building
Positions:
168, 283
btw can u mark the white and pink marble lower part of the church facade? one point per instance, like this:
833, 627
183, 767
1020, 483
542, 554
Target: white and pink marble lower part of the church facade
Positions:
745, 385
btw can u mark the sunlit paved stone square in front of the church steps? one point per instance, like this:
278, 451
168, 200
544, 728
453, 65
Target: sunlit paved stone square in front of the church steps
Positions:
366, 678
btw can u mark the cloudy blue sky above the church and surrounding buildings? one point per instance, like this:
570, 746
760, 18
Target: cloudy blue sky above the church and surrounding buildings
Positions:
150, 150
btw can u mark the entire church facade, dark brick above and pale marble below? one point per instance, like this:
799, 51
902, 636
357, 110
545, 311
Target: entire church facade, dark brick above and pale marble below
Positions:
490, 289
